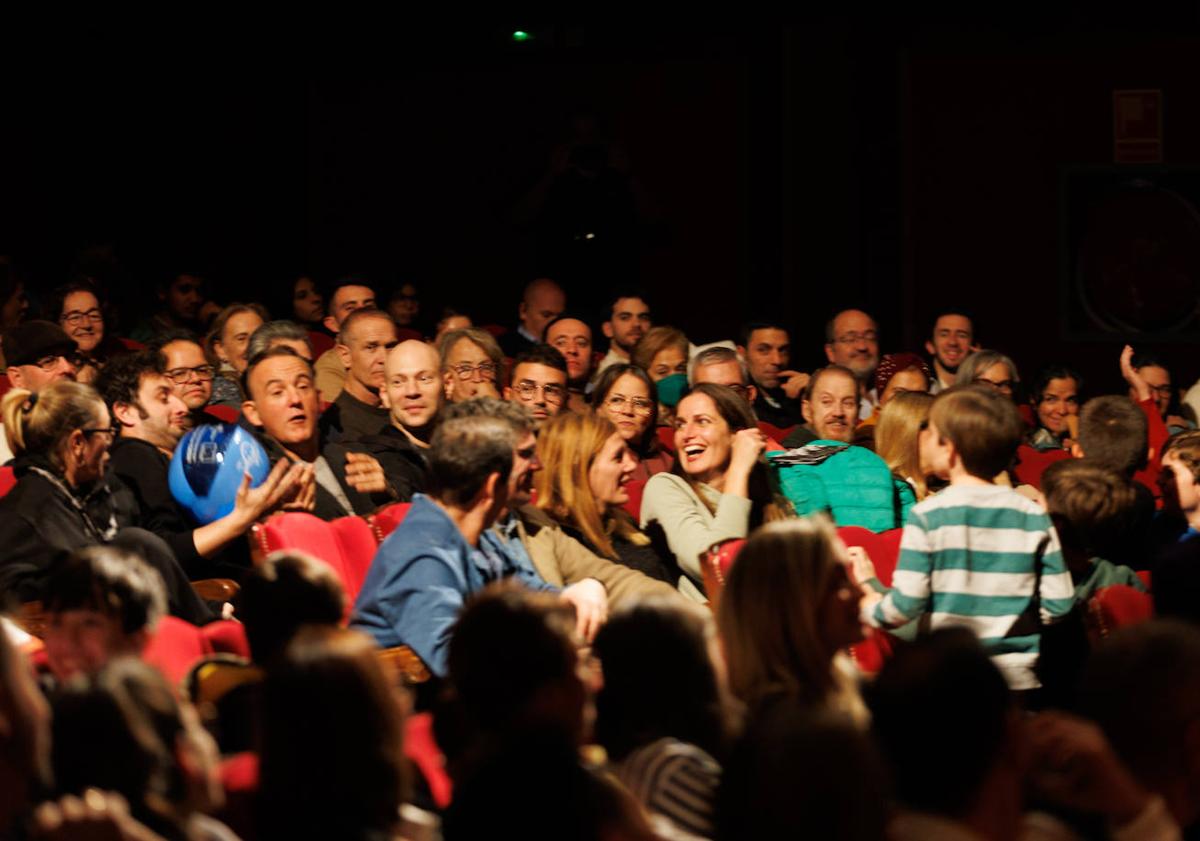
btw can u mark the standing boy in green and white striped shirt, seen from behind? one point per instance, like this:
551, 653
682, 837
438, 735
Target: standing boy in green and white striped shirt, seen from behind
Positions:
977, 555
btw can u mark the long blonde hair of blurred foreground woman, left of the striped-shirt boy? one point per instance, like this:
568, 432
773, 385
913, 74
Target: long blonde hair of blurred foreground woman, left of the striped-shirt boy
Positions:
770, 618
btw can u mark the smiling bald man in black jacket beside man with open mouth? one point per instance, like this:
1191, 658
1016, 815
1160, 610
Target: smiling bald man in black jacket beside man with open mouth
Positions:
413, 397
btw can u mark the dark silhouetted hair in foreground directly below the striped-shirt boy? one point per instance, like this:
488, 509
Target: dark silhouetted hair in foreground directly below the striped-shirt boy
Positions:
940, 716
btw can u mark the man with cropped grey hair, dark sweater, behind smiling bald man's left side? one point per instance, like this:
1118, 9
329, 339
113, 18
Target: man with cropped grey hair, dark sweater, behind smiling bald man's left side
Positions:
364, 343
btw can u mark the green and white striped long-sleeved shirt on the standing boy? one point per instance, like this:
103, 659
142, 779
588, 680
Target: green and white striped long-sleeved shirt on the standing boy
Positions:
986, 558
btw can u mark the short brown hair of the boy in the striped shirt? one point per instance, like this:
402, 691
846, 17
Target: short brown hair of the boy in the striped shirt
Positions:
983, 425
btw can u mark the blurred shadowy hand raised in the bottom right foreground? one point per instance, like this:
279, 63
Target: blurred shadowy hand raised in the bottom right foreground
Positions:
1075, 766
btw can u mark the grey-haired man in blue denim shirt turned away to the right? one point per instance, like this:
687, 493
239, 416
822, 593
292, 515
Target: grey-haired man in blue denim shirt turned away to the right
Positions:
435, 560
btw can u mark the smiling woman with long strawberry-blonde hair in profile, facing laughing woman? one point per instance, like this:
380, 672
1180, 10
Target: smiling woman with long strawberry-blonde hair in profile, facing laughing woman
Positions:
586, 467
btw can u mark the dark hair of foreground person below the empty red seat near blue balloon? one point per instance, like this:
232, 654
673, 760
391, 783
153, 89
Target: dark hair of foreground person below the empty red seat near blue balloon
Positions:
286, 592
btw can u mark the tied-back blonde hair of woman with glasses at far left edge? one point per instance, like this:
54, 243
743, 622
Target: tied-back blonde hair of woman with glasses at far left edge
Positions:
41, 423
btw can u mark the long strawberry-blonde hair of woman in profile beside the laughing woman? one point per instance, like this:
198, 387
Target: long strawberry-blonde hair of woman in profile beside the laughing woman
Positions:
568, 447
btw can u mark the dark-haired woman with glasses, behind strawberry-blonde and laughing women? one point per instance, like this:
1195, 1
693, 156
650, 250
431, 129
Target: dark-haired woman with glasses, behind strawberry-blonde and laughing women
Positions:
625, 394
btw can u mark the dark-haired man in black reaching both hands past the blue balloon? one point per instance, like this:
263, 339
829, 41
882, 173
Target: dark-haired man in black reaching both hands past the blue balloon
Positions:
152, 420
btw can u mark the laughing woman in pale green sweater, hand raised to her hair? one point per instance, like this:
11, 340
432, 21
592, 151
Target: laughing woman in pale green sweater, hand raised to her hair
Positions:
710, 496
